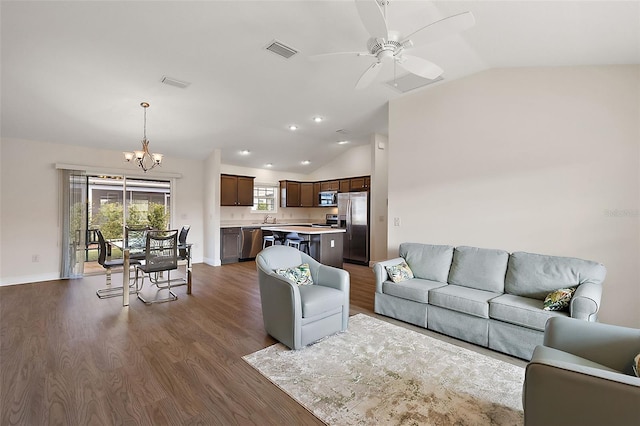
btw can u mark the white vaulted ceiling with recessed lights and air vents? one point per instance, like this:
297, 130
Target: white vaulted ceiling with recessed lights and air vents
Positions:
75, 72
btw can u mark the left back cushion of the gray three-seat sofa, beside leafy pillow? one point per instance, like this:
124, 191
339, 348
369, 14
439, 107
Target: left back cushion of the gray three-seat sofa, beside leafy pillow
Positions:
429, 262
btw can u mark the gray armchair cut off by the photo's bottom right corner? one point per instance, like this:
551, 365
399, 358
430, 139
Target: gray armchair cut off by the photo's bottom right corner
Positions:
583, 376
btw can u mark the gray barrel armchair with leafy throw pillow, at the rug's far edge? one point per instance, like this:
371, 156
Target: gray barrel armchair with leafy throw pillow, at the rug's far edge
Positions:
299, 315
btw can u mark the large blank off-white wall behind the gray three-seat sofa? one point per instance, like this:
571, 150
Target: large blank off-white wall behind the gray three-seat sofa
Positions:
544, 160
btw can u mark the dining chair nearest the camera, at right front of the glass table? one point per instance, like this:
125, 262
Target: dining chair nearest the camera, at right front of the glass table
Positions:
161, 255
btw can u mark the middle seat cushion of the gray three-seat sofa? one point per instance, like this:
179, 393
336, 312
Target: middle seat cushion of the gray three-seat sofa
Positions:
467, 300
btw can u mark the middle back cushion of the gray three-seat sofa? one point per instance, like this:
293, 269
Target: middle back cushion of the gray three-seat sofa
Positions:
483, 269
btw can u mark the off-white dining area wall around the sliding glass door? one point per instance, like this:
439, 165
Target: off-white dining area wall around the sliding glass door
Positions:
30, 209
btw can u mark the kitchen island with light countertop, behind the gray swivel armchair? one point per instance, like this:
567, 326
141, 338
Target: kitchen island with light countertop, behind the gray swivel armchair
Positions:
325, 244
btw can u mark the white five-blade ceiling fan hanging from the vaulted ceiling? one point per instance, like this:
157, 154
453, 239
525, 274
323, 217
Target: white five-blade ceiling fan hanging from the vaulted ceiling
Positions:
388, 46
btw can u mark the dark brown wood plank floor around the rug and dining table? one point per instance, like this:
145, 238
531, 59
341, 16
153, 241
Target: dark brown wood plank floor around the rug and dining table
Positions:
68, 358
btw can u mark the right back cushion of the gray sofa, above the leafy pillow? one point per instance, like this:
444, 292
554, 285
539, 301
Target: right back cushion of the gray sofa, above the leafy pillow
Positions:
536, 275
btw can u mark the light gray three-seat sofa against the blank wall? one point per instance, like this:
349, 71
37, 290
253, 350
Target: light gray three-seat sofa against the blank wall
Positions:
485, 296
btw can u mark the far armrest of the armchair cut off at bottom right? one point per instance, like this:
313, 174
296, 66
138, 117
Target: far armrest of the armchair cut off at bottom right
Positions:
610, 345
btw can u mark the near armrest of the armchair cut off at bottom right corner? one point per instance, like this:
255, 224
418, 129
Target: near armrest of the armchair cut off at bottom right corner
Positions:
558, 393
